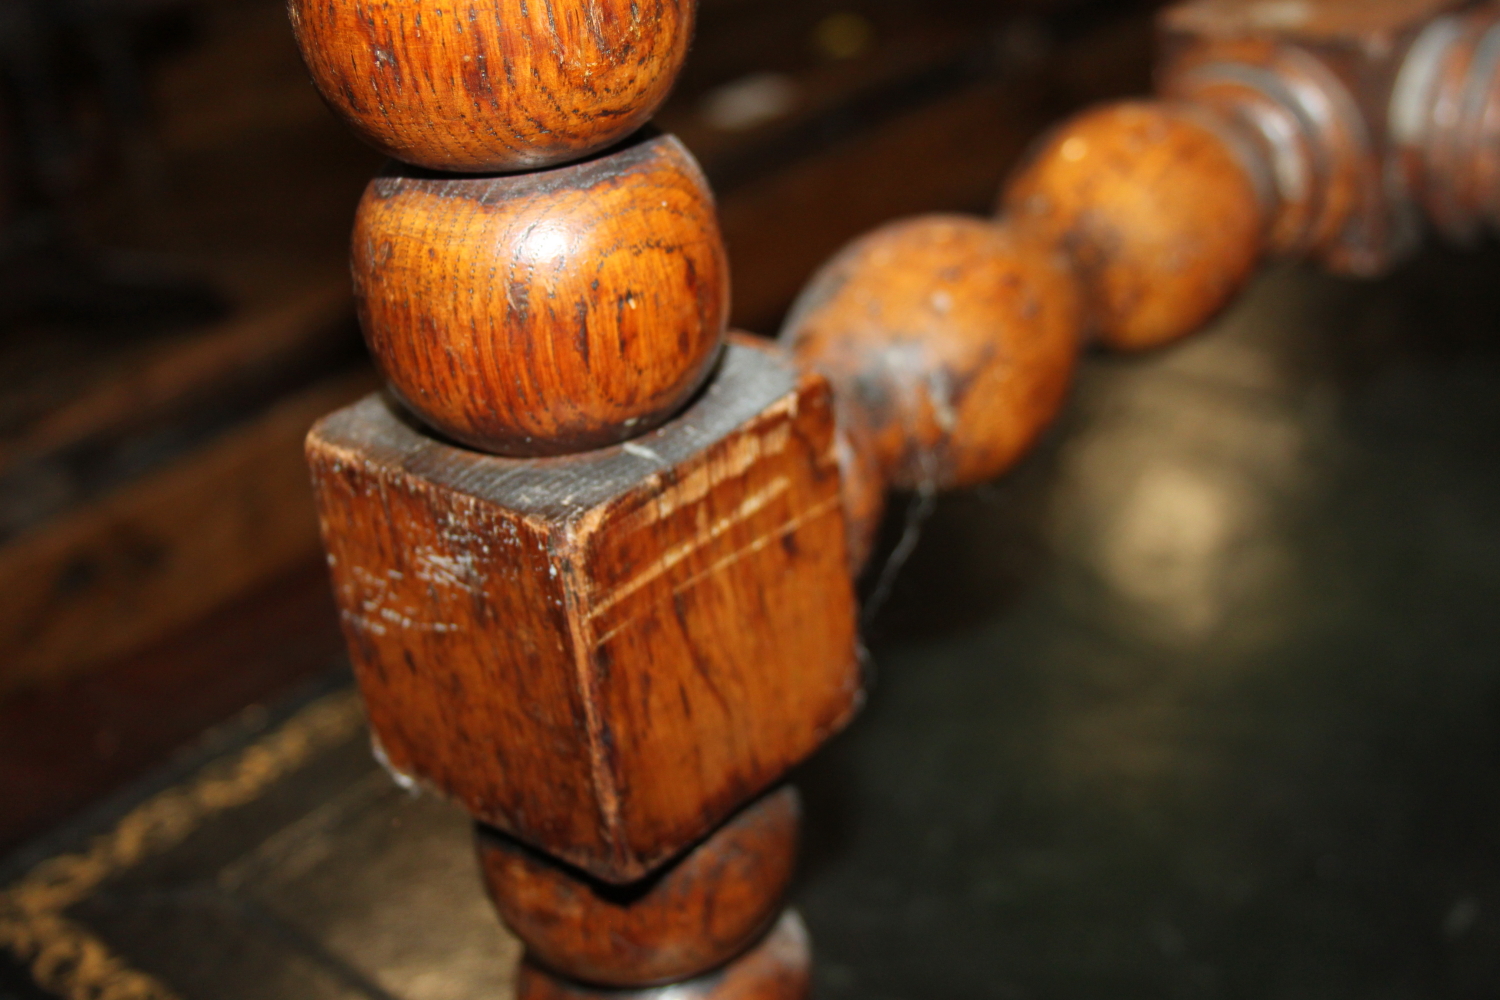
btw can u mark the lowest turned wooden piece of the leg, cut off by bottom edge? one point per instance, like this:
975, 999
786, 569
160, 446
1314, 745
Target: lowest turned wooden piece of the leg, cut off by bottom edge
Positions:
776, 969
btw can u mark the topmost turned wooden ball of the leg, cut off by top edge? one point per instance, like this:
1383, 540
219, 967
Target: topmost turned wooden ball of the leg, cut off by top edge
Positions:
494, 85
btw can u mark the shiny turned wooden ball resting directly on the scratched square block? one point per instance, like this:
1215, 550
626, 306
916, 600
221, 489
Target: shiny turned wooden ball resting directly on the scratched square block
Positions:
550, 313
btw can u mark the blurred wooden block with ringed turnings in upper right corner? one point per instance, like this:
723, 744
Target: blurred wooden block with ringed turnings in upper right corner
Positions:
1375, 119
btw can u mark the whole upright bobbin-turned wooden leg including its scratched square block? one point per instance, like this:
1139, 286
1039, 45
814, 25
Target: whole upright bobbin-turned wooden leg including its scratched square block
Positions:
619, 608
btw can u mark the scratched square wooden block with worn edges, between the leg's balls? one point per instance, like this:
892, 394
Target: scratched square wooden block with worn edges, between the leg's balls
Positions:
607, 654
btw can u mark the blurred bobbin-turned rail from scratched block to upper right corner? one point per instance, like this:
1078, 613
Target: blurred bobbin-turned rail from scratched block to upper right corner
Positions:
1273, 139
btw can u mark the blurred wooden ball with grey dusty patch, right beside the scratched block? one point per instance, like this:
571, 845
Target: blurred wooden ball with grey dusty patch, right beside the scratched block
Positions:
950, 343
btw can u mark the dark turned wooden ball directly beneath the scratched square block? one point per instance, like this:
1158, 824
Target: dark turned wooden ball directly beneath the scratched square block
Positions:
697, 915
